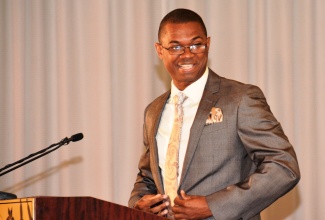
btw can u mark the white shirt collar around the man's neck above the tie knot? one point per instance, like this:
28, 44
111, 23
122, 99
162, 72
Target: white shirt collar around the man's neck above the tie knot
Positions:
193, 91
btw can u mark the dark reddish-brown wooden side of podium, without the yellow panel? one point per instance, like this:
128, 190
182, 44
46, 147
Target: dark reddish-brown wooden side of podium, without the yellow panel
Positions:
79, 208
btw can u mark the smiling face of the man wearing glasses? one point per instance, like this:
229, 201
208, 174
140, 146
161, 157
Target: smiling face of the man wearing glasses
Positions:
188, 67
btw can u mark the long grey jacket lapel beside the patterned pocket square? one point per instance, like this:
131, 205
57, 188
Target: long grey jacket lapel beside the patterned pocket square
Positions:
209, 99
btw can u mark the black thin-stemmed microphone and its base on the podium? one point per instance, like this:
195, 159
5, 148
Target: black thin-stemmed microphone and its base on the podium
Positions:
34, 156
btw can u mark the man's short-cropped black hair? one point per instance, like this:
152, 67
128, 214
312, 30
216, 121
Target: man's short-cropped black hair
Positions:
181, 15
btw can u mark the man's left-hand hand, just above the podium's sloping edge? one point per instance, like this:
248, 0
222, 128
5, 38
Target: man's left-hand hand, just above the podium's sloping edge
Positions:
155, 204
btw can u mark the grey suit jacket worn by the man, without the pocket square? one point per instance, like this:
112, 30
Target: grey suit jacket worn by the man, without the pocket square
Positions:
242, 164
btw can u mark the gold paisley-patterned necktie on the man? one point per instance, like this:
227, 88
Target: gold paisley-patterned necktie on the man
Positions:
171, 165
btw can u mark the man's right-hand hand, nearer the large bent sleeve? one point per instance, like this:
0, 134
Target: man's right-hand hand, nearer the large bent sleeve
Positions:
191, 207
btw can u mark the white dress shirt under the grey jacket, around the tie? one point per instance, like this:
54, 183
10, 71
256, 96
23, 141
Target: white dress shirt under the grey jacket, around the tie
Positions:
194, 94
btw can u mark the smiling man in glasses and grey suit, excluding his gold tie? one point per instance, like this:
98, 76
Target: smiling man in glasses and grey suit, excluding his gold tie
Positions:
234, 158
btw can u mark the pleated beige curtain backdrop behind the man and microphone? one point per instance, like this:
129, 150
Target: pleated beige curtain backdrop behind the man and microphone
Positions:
69, 66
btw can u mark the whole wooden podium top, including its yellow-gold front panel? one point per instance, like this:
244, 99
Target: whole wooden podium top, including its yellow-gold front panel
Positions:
69, 208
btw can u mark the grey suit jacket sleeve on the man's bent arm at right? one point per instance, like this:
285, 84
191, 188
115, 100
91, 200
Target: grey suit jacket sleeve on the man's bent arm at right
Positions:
267, 146
